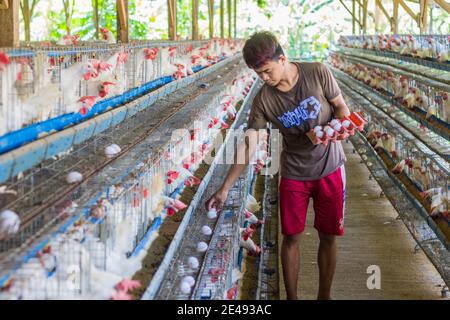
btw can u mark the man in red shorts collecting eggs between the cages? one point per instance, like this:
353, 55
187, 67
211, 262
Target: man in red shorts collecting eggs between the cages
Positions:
295, 98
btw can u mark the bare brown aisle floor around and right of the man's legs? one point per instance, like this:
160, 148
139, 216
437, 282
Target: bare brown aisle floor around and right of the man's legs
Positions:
373, 237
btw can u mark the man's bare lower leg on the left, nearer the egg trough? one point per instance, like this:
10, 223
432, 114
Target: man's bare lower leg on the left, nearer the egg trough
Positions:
290, 260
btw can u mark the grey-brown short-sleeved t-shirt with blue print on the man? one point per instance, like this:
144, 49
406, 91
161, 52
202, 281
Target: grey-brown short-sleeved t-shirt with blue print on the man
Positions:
296, 112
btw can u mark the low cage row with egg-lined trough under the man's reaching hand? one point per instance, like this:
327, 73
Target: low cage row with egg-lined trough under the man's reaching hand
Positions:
208, 264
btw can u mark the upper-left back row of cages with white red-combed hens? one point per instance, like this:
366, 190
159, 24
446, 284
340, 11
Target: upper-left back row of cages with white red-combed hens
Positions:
42, 83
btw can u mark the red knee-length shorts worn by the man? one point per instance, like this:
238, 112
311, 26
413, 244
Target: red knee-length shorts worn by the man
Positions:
328, 194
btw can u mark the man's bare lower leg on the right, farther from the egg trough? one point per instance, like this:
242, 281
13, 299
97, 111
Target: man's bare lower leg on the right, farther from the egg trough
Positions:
326, 259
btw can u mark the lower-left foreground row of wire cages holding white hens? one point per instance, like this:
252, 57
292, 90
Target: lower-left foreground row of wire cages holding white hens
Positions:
90, 251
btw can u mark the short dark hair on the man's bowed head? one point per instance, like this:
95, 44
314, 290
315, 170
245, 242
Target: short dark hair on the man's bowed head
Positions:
260, 48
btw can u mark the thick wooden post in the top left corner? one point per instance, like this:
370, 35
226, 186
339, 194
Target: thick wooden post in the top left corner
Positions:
9, 22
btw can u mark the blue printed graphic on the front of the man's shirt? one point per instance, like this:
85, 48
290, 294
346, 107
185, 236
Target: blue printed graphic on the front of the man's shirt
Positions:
307, 109
